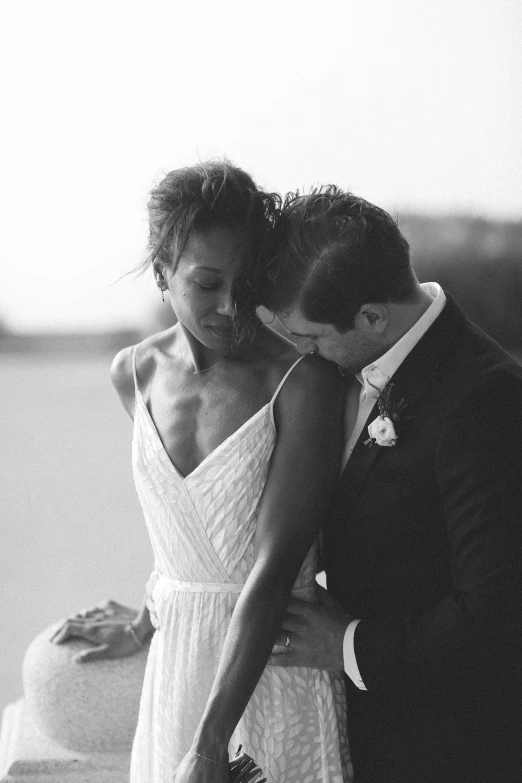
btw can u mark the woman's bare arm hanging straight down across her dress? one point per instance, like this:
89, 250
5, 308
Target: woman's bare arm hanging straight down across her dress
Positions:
302, 475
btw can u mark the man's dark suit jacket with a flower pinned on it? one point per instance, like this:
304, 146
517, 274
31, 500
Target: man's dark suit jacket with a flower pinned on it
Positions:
425, 546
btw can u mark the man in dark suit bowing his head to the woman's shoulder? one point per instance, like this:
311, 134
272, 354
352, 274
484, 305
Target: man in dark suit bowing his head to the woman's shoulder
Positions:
423, 548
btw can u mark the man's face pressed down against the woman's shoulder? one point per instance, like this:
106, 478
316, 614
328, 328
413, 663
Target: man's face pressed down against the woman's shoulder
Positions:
351, 350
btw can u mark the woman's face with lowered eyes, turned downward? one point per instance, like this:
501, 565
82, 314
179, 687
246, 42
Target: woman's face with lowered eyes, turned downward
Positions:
201, 288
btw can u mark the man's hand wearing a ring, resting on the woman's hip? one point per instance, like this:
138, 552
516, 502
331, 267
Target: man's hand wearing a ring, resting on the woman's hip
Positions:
315, 634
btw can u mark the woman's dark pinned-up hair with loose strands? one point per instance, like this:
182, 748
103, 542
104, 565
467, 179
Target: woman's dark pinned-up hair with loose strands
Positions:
209, 195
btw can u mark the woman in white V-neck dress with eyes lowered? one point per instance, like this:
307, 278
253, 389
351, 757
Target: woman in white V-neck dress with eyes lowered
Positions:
235, 453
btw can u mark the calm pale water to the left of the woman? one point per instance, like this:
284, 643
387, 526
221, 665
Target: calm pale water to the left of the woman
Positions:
72, 529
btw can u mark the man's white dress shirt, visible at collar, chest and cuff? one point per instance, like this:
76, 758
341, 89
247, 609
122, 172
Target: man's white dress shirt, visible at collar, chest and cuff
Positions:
378, 374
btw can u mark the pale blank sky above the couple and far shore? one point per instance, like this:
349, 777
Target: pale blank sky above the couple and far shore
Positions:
413, 105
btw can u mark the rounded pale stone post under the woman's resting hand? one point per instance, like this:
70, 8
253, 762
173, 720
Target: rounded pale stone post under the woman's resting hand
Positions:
76, 722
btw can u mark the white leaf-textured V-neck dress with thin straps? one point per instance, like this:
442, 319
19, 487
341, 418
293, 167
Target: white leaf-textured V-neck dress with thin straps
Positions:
202, 530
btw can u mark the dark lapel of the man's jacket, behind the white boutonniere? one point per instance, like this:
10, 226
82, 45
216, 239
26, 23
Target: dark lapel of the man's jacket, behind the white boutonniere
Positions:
411, 382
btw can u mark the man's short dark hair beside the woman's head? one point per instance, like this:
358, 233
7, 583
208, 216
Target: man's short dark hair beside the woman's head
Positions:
336, 253
